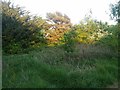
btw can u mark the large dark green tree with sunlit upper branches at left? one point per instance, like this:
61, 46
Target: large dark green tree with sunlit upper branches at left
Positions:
19, 30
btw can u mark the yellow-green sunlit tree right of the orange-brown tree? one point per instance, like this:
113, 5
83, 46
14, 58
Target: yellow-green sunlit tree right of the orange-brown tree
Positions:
89, 30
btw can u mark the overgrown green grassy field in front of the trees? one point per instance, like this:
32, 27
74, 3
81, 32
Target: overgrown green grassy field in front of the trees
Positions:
51, 67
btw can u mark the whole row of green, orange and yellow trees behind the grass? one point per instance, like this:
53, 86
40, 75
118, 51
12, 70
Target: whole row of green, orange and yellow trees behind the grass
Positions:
22, 31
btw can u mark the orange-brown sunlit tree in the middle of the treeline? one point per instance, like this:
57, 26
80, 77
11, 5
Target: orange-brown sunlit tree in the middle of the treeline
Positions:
58, 25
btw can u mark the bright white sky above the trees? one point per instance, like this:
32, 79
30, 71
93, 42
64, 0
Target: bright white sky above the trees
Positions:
74, 9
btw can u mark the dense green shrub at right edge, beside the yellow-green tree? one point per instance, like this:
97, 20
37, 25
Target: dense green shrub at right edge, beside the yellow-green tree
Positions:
111, 40
